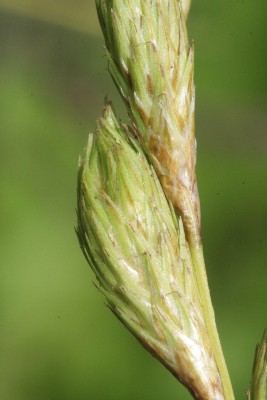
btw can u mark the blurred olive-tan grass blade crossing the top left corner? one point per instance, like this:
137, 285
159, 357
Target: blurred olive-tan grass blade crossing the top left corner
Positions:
72, 14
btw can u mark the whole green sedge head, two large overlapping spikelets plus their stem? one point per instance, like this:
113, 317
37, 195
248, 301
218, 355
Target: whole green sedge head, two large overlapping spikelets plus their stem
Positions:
138, 203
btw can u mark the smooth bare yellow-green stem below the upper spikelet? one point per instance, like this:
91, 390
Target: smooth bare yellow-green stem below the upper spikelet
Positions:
202, 281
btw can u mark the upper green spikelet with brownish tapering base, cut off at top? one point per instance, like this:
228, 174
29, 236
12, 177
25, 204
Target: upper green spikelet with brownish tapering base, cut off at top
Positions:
151, 62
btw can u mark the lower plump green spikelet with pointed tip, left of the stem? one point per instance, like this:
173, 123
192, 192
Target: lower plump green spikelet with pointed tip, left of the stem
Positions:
136, 246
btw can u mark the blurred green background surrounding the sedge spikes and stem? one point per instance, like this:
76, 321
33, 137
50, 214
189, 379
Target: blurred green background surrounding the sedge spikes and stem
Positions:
57, 339
